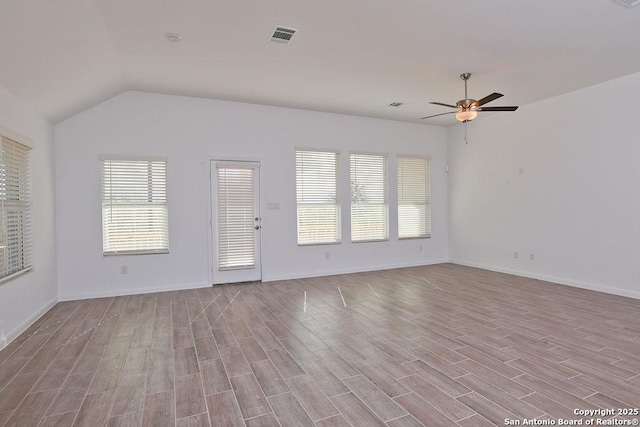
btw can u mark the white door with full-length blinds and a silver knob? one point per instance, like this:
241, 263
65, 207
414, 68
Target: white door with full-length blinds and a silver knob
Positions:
235, 225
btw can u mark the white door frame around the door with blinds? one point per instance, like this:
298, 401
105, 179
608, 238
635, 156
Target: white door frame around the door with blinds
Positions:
211, 244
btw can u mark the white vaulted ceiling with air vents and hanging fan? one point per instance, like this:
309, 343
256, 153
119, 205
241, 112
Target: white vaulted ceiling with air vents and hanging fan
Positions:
349, 56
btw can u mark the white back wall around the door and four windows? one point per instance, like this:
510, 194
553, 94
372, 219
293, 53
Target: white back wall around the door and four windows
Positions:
189, 131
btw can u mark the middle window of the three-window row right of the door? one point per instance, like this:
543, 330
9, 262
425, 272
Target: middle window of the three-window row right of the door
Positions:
369, 198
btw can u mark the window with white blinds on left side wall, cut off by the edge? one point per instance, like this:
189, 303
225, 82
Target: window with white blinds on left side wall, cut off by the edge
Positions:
15, 209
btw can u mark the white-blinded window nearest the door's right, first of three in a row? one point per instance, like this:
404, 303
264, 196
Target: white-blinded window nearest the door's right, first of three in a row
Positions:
317, 197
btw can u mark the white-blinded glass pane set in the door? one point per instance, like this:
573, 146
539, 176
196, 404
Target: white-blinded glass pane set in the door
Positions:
236, 217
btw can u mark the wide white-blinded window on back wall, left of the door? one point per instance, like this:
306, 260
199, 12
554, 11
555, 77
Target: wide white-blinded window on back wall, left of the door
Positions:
134, 207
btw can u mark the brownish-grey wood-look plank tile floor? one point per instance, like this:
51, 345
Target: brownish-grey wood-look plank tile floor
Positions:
435, 346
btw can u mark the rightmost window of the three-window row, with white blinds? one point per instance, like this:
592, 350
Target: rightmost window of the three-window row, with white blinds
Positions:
414, 208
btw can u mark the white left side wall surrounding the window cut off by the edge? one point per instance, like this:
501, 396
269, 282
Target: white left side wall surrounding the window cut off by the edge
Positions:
25, 298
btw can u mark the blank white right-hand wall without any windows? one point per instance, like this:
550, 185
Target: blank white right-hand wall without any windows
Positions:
576, 204
